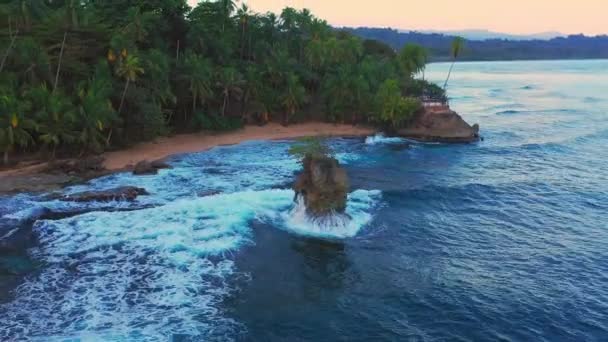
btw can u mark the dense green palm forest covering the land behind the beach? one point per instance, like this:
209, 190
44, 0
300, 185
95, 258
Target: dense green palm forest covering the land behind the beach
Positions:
82, 76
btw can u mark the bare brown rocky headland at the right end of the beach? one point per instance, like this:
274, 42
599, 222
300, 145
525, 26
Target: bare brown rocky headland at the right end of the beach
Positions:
440, 125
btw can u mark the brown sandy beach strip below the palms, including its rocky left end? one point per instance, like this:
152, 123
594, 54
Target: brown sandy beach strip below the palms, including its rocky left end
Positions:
34, 177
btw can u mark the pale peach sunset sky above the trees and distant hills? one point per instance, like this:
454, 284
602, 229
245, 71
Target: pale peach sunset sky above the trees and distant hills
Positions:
508, 16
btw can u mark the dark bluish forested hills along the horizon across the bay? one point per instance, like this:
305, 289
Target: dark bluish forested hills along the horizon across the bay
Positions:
571, 47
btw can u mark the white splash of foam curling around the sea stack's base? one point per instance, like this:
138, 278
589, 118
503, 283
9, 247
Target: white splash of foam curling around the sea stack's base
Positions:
336, 226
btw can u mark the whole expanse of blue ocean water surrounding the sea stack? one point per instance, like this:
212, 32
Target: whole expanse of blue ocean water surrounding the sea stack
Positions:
505, 239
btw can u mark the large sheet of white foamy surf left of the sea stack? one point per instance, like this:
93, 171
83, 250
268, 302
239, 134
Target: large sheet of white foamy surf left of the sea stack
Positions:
138, 276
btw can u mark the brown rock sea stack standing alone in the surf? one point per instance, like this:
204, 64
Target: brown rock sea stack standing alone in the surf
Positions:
323, 185
